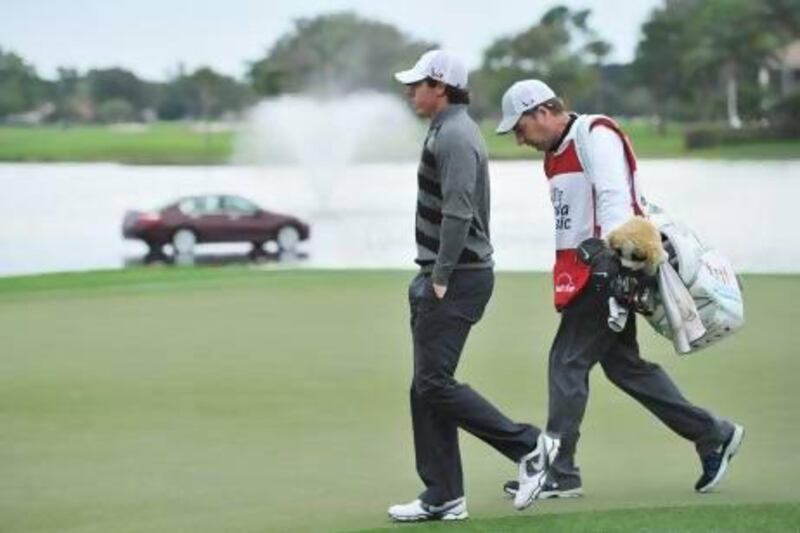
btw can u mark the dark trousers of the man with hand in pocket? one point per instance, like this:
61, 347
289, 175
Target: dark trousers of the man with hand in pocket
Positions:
440, 404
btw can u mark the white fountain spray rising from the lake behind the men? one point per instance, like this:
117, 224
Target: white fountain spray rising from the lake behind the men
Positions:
326, 136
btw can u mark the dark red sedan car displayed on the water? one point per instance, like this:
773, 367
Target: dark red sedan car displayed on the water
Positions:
213, 219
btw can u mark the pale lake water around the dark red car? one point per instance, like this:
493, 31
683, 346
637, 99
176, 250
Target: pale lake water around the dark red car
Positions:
67, 217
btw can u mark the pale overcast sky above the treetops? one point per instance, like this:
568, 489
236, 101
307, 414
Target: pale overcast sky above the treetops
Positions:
152, 37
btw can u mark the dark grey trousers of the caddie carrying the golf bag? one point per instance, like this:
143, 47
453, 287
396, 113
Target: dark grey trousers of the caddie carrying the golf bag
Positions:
583, 339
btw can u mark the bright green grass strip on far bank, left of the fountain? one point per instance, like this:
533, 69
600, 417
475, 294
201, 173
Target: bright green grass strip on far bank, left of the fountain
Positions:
162, 143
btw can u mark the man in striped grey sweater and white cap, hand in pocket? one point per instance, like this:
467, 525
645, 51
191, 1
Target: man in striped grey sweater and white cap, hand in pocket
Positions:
449, 295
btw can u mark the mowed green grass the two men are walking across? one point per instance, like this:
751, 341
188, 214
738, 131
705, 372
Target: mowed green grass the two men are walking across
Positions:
255, 400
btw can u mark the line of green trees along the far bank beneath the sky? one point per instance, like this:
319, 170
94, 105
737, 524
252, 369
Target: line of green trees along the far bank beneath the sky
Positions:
697, 60
